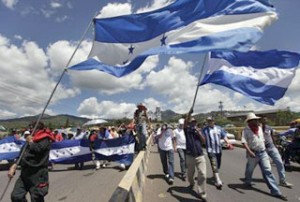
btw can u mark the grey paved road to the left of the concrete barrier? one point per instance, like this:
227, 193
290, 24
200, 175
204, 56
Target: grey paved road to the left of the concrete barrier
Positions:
68, 185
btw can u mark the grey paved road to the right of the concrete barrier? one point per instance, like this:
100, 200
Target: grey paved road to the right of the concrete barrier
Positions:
232, 171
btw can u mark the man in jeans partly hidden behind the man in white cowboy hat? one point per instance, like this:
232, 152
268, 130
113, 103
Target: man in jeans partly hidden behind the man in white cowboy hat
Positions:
274, 153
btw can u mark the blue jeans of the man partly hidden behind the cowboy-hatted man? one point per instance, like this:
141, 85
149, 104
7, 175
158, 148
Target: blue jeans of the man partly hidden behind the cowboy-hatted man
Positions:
276, 157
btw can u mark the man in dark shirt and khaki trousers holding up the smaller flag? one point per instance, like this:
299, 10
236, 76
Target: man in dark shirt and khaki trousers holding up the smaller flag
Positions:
195, 156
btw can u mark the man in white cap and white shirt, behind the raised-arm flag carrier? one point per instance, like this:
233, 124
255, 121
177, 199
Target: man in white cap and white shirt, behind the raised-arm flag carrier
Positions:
181, 146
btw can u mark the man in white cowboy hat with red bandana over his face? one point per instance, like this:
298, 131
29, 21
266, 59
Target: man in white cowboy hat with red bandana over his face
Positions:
254, 143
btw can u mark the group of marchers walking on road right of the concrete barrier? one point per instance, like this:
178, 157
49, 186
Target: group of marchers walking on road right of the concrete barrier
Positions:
190, 139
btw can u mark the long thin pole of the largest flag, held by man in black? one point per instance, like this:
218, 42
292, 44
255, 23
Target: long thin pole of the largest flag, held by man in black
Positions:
48, 102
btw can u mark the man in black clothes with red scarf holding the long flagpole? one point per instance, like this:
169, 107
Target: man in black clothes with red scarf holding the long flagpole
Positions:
34, 167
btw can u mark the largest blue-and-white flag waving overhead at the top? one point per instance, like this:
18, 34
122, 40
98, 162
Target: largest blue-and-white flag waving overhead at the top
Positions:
186, 26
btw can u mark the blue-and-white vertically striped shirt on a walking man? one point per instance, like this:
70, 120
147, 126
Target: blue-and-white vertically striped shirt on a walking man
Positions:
213, 136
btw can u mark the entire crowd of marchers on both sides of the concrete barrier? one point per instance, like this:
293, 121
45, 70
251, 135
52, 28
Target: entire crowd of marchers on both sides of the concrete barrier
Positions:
189, 139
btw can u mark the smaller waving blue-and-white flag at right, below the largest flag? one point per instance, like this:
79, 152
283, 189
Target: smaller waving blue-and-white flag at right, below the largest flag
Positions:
261, 75
